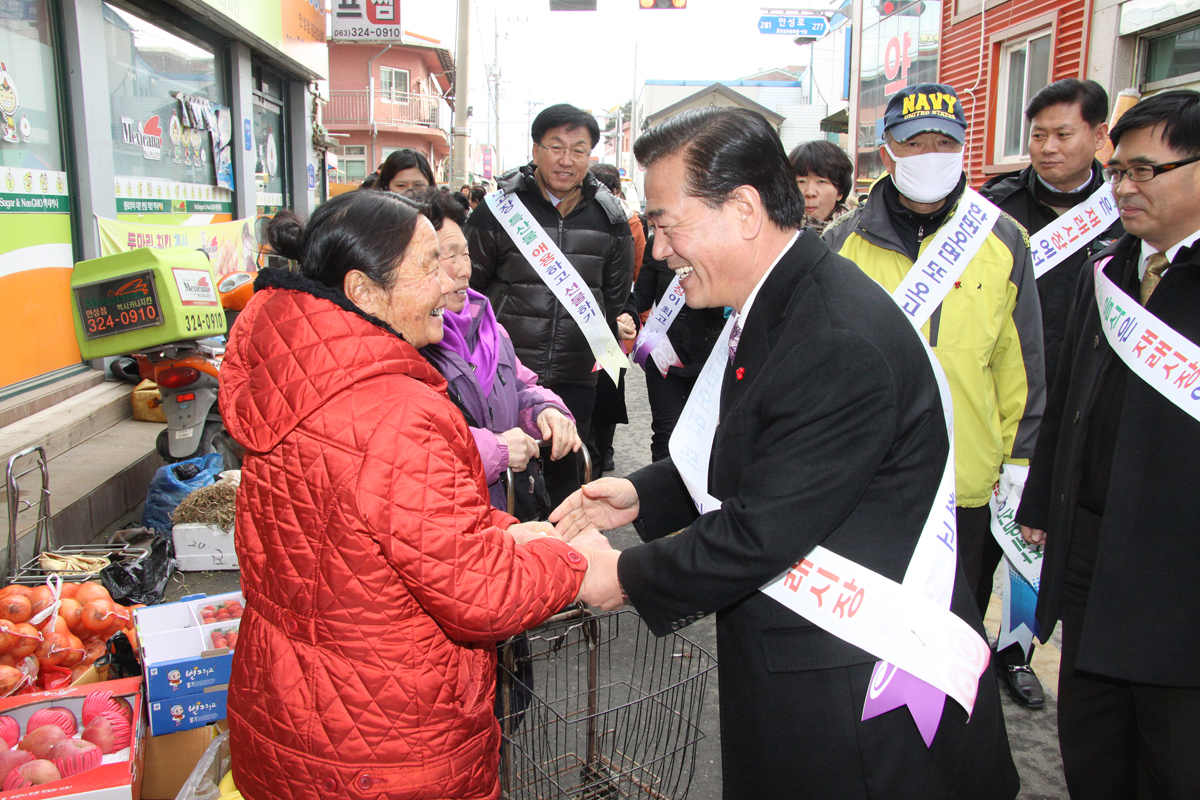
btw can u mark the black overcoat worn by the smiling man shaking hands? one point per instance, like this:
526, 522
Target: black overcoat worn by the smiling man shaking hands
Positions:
833, 436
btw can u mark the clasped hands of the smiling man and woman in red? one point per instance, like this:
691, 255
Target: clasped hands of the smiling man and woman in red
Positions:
605, 504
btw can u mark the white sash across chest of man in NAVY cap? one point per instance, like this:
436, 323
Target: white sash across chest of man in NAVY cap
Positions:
944, 260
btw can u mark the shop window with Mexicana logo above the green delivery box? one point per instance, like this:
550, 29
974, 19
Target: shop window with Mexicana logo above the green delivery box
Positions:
167, 107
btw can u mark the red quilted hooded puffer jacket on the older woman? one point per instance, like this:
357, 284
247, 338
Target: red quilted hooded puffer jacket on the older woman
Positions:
377, 575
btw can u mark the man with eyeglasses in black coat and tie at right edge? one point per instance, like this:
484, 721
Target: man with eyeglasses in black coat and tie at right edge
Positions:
1113, 483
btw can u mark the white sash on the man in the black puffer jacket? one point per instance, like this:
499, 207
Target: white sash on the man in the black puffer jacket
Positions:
561, 276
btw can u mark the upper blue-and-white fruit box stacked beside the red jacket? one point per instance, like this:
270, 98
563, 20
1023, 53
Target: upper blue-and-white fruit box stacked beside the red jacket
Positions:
179, 654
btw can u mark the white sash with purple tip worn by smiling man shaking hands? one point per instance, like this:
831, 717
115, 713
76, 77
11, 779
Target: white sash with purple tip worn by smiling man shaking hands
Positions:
909, 624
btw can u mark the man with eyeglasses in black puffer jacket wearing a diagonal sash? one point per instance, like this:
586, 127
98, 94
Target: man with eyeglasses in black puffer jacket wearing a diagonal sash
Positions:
587, 224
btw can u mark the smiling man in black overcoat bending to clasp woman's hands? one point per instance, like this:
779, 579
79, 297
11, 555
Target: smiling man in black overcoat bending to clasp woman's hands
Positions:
831, 435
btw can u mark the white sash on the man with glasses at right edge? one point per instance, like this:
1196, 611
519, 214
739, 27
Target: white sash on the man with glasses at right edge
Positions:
1153, 350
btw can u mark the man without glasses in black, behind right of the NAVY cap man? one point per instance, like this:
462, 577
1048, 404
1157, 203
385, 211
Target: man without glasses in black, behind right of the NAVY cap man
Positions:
1067, 128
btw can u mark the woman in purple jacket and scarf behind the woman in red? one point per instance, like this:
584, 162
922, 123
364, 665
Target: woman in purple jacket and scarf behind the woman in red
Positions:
505, 405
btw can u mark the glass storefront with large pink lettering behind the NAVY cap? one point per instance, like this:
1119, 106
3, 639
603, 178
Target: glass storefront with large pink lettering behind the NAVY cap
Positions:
899, 50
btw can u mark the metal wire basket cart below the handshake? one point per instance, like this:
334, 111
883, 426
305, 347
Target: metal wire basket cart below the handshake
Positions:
596, 707
